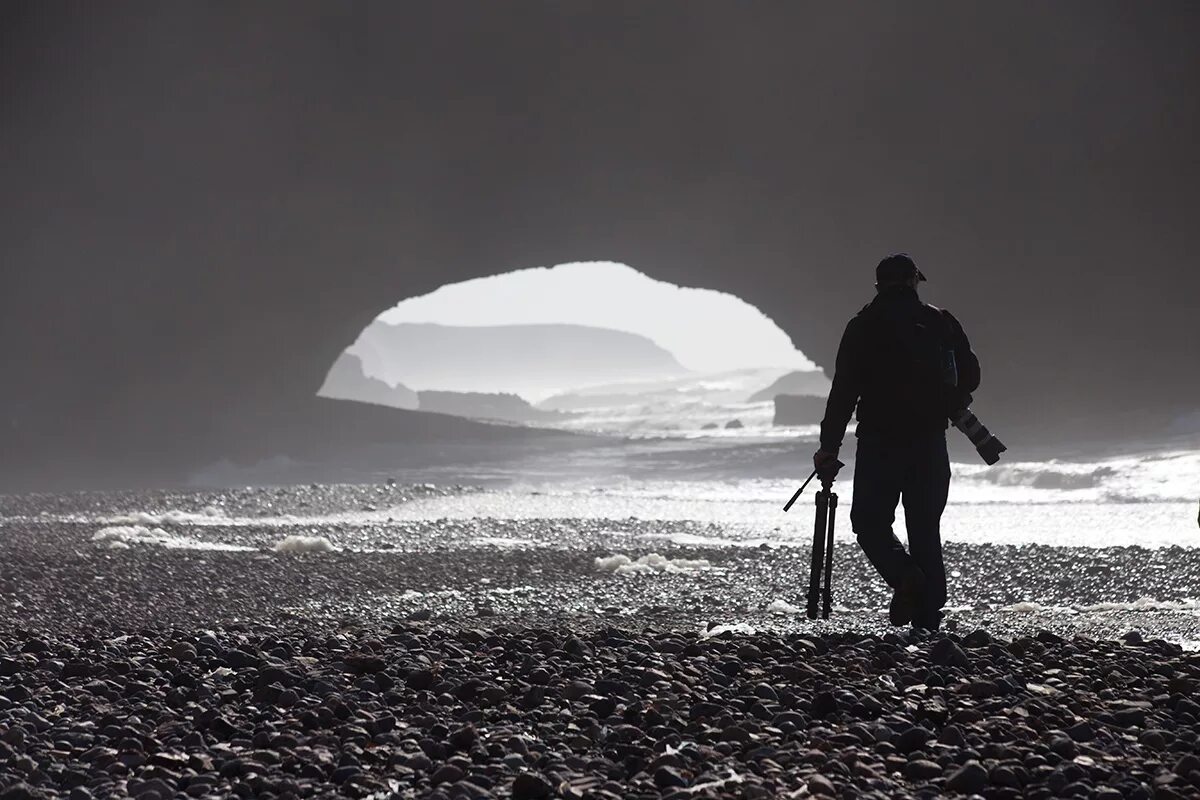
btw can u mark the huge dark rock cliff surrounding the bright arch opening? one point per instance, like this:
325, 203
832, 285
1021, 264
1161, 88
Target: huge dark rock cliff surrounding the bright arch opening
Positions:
201, 204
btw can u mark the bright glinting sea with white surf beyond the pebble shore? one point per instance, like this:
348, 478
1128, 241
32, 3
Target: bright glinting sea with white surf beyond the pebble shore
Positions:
695, 450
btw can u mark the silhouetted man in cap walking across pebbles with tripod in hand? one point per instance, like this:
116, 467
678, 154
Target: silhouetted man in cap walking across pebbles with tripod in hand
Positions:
908, 366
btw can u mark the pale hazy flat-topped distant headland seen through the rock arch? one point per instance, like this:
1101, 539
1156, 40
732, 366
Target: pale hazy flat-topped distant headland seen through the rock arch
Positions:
521, 359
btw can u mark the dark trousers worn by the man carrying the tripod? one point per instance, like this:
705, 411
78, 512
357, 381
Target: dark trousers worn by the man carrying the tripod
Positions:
917, 471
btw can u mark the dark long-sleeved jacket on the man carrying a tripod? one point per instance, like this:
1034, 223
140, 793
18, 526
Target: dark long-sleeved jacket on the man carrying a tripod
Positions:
886, 368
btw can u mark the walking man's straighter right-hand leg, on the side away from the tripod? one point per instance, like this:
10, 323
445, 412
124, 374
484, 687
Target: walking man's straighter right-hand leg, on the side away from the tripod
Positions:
927, 485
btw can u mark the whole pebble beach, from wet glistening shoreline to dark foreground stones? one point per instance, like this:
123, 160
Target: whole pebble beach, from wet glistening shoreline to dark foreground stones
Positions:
298, 642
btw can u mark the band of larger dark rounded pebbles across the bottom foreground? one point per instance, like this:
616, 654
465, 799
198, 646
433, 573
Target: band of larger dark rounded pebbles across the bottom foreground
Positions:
409, 709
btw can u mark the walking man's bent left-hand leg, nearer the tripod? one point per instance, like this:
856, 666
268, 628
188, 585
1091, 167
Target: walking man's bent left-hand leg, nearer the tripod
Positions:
878, 483
